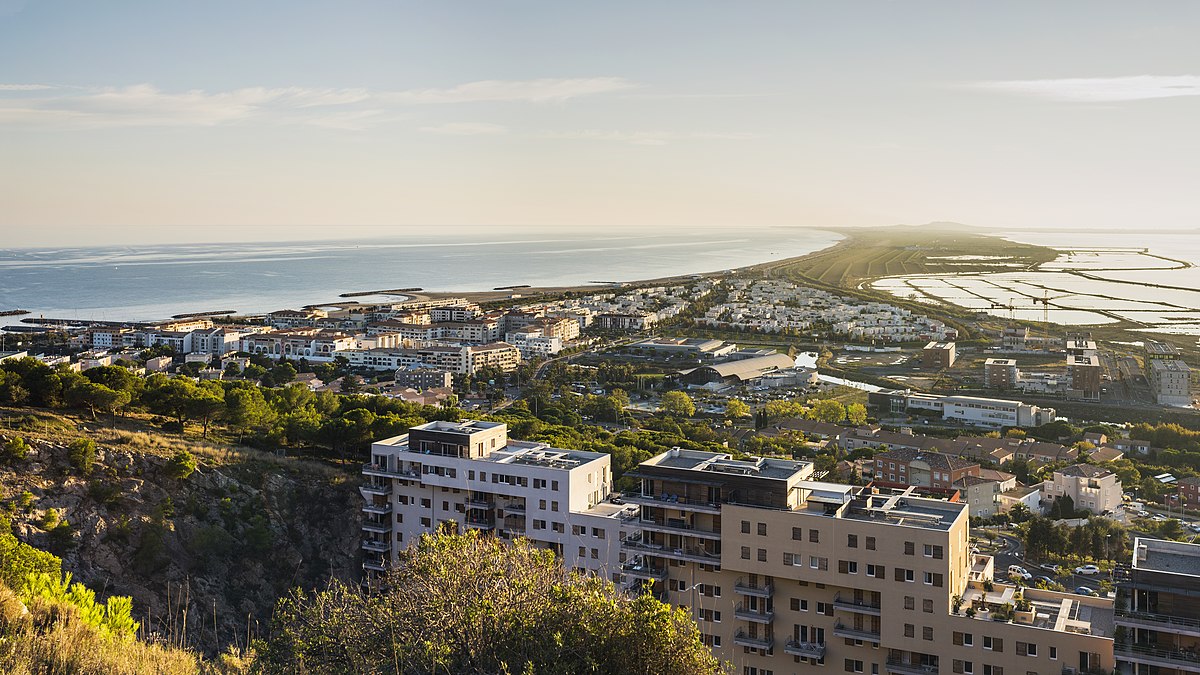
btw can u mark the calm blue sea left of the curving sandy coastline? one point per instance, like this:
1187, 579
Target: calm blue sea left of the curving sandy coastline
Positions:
151, 283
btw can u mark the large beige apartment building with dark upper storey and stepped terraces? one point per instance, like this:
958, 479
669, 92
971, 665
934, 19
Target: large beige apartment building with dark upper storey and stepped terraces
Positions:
785, 575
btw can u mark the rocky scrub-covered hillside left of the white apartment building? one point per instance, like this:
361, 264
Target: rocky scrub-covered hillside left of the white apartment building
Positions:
203, 553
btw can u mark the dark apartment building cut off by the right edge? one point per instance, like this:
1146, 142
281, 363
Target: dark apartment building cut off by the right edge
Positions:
1161, 613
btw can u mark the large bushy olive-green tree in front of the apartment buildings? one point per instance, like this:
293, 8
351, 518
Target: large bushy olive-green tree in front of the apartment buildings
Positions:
499, 608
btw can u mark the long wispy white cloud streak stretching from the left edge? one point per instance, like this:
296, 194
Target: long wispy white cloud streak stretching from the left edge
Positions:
145, 105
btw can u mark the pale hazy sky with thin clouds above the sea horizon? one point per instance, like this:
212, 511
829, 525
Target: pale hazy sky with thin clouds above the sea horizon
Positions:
164, 122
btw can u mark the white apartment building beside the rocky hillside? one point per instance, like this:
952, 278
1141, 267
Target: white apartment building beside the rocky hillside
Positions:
472, 474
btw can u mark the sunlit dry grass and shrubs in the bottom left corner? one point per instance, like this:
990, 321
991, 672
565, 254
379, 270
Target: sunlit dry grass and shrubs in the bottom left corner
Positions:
51, 640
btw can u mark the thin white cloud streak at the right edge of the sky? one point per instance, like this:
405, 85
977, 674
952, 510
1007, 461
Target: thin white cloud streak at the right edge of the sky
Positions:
1099, 89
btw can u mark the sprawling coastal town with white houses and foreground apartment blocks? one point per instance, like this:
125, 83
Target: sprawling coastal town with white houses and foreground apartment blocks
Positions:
755, 441
